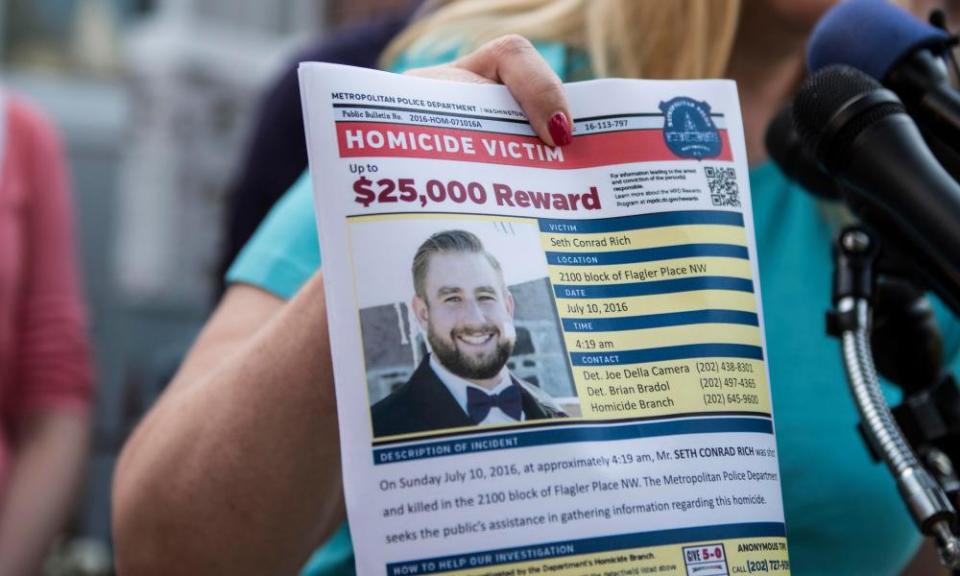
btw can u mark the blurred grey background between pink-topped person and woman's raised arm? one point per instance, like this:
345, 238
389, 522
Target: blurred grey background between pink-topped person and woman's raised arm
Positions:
154, 100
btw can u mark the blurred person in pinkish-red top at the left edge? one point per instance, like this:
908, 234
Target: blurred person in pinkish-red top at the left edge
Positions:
45, 366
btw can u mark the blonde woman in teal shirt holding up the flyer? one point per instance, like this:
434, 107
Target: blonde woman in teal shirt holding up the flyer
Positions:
236, 469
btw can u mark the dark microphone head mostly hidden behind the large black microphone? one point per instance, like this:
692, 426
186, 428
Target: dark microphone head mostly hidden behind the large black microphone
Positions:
784, 146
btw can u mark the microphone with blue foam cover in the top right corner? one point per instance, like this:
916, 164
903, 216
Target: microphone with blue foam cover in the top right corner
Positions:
905, 54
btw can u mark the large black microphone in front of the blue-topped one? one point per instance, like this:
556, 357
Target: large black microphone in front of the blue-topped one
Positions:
860, 134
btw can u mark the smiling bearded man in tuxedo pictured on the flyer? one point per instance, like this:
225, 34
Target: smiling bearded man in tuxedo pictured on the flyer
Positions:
464, 307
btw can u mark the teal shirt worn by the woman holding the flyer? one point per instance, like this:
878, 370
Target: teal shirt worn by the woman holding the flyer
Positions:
842, 510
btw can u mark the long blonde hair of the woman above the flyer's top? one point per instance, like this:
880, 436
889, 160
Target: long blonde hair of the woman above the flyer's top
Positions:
677, 38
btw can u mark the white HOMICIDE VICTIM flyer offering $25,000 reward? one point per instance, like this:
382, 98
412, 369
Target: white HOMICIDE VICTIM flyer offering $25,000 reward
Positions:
547, 360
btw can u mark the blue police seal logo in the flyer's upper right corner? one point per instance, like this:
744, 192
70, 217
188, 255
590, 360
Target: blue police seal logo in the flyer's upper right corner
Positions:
688, 130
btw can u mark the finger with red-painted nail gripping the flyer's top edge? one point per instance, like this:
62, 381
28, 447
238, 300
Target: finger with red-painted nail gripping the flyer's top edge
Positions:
513, 61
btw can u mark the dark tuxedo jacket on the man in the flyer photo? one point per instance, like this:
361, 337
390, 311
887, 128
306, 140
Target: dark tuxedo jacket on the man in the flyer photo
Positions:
425, 404
